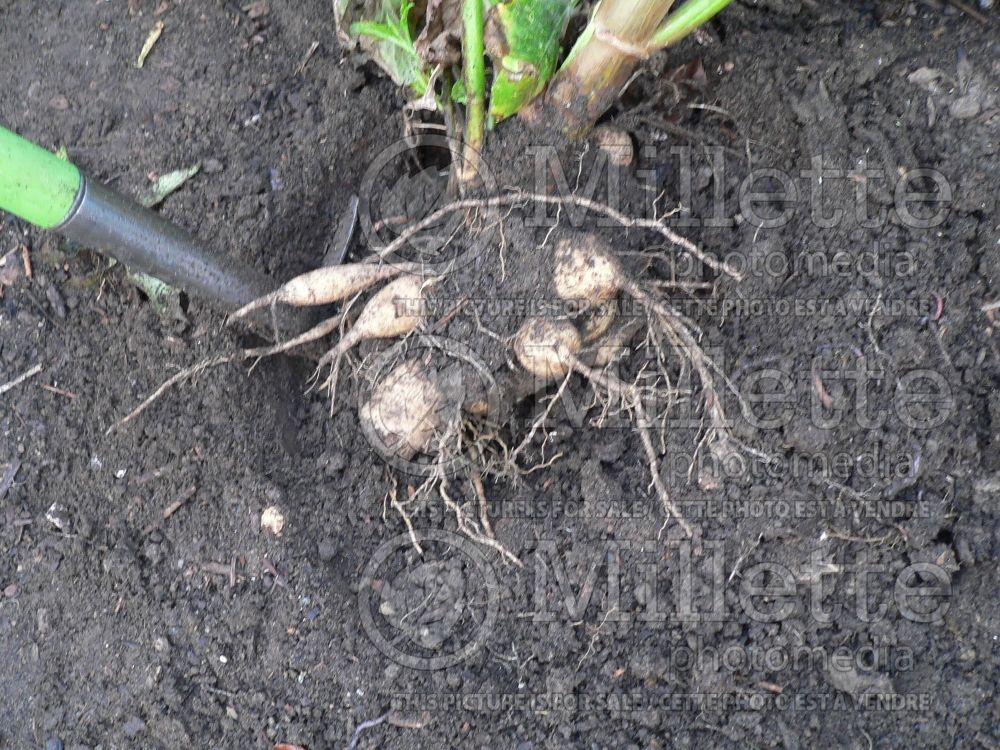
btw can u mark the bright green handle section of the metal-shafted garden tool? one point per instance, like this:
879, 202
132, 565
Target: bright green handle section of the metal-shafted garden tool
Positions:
35, 184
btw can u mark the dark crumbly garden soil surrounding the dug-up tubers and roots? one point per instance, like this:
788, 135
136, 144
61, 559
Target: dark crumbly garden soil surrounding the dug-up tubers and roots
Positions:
840, 589
